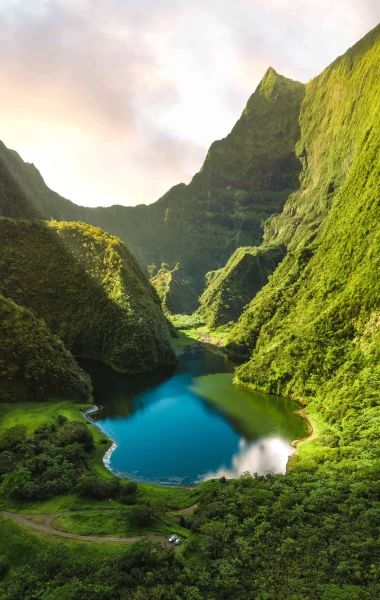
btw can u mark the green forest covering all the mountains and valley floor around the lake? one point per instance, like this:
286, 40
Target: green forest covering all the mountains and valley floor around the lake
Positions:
281, 231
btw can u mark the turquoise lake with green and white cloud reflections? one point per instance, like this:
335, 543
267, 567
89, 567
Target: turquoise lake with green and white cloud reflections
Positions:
186, 426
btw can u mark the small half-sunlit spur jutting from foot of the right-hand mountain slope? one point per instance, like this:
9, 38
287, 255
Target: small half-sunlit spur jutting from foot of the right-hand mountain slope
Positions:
231, 288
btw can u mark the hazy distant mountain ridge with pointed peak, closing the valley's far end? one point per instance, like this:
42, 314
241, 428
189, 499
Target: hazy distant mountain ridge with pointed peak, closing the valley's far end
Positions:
246, 178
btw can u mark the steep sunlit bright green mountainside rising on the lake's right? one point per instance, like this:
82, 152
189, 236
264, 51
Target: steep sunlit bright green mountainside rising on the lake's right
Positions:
313, 331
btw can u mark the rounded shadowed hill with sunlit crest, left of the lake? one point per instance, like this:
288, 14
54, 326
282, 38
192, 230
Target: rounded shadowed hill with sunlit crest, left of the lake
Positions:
88, 289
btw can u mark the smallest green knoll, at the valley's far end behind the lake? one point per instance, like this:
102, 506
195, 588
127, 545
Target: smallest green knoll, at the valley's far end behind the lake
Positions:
176, 290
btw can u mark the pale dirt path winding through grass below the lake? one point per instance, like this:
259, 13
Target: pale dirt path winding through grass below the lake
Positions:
47, 528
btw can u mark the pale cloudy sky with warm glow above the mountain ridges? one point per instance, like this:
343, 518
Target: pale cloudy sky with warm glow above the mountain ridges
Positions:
115, 101
